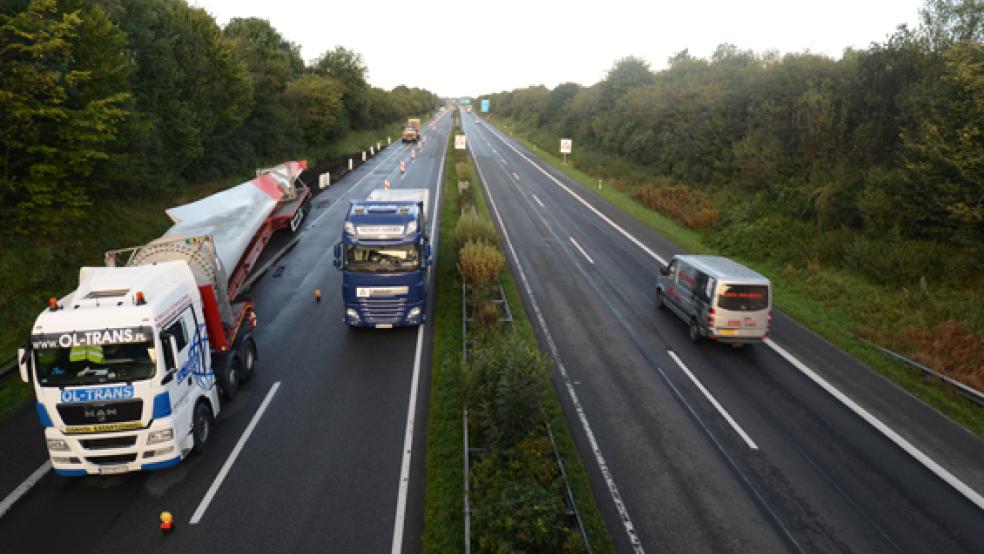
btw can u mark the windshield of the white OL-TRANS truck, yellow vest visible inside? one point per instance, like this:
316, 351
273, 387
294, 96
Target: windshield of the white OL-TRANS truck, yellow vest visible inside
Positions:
96, 364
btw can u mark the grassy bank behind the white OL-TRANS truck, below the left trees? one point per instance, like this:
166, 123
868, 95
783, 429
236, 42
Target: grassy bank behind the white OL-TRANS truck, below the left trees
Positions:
33, 270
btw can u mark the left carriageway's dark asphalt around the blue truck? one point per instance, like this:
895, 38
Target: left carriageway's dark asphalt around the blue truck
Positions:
325, 420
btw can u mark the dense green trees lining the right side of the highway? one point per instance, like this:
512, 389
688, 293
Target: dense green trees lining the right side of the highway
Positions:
888, 140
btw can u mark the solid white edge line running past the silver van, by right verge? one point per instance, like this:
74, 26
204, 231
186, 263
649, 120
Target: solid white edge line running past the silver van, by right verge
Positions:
887, 431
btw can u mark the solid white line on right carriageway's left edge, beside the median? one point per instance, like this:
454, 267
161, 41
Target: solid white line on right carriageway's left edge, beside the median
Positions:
623, 512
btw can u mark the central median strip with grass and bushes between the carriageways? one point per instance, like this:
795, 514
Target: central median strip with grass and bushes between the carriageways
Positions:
516, 487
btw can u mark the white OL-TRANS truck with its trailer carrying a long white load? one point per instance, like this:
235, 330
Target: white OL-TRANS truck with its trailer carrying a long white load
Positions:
128, 368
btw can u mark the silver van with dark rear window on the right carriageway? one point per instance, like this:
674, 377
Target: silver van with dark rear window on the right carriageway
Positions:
718, 298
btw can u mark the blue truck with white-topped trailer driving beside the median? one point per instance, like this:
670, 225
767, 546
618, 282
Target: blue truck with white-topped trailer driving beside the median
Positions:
385, 256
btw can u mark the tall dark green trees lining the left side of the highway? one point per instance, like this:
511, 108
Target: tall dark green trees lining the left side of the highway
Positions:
124, 97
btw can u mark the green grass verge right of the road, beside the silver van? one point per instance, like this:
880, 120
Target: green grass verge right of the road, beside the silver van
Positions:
830, 301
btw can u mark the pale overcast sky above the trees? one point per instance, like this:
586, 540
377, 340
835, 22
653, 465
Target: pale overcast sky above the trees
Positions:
469, 47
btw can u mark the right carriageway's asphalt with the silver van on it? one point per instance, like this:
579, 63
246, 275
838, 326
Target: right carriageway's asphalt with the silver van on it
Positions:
813, 476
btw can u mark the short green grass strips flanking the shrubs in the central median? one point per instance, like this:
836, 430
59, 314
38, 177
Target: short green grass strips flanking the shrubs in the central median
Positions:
444, 520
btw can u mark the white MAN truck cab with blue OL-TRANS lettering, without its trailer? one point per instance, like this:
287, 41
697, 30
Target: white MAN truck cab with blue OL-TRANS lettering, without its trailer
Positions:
123, 371
